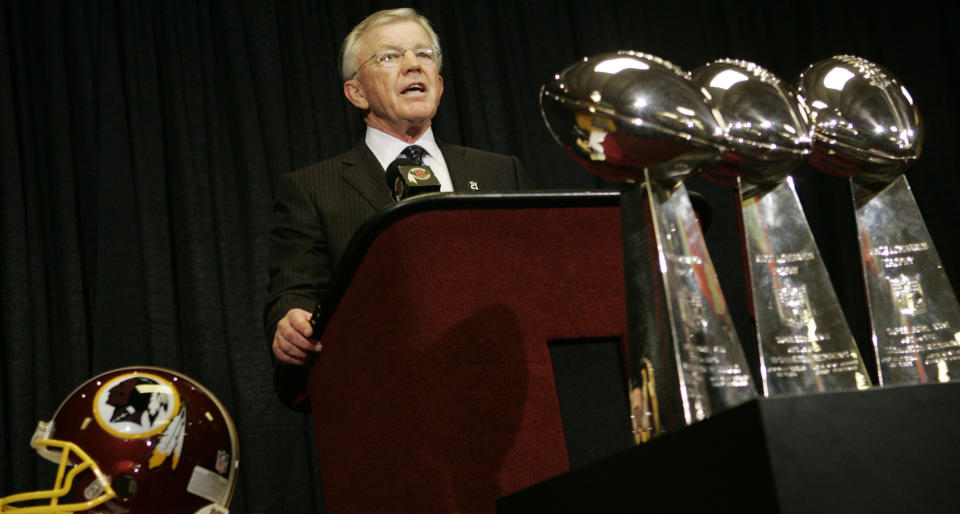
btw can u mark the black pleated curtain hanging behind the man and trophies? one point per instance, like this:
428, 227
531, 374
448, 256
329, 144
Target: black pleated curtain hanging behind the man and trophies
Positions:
140, 141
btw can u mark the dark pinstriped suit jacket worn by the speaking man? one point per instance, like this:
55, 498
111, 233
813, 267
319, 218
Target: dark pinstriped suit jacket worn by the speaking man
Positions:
319, 208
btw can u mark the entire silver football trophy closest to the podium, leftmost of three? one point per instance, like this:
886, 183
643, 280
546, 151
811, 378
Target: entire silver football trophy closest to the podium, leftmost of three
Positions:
636, 118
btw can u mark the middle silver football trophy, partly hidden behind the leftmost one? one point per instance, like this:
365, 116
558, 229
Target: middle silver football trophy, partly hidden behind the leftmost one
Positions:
805, 343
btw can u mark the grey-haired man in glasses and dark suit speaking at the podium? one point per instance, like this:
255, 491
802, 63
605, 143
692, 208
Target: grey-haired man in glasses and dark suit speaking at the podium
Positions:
390, 65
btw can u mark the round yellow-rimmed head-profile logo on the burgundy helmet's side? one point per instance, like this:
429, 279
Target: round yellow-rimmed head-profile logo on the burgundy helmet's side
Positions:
136, 405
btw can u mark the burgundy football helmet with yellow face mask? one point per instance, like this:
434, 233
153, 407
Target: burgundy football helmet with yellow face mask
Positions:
136, 440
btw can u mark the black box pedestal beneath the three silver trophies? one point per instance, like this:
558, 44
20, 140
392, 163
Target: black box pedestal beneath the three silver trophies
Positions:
879, 450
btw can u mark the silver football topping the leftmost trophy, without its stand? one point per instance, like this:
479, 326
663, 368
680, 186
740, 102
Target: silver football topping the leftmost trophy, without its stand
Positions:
620, 113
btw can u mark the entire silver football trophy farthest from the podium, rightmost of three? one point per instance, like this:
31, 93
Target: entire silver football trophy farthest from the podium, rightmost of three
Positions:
868, 129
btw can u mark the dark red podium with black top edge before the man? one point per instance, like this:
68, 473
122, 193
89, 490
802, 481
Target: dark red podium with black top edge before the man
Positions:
435, 389
